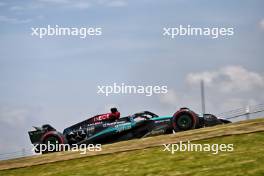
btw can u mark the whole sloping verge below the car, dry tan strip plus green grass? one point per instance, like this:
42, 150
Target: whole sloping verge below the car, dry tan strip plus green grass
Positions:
133, 159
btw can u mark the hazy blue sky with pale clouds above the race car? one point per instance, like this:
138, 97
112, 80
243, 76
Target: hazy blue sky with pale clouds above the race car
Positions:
54, 80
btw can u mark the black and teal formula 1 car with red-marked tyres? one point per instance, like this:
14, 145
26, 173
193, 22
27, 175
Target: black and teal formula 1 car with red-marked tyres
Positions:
138, 125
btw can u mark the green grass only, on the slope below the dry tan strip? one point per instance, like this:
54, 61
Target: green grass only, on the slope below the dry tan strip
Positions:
246, 159
